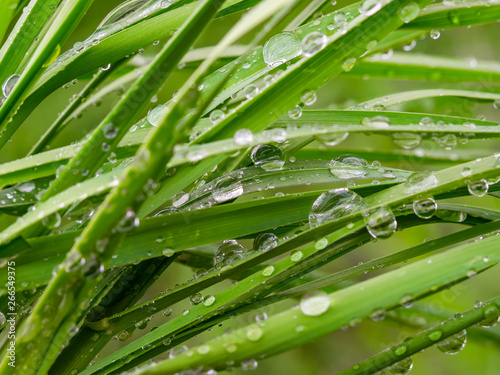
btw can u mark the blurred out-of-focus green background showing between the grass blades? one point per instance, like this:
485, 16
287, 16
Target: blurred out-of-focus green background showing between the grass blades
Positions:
342, 349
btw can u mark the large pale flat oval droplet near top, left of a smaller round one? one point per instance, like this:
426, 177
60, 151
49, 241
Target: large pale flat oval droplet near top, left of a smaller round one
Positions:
281, 48
